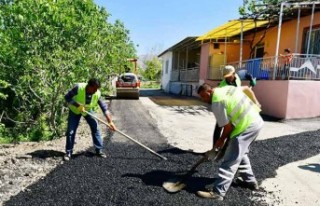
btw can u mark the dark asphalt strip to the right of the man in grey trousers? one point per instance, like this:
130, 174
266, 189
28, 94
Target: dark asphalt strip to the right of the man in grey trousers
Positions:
268, 155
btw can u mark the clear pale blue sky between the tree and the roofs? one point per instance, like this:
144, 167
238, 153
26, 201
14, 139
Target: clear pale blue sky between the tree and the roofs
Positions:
156, 25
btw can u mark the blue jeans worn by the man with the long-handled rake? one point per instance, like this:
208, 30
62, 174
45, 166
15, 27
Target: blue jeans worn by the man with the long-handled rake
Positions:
73, 123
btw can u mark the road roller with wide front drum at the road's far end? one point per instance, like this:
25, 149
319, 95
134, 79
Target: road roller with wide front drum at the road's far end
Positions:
128, 86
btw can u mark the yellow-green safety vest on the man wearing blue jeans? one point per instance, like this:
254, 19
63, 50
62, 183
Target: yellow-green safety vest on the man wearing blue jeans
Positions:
80, 98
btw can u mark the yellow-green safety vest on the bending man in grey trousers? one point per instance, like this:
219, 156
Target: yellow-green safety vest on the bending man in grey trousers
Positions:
241, 111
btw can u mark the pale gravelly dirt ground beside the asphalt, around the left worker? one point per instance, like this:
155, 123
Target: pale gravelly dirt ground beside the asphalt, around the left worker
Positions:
25, 163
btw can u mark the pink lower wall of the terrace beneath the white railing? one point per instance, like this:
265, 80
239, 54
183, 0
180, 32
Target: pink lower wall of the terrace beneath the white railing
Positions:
284, 99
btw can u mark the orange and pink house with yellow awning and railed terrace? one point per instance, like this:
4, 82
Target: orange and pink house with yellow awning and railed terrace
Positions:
291, 96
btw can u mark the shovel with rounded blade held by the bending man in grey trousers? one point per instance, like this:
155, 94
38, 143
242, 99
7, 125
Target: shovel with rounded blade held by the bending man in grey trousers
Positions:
176, 184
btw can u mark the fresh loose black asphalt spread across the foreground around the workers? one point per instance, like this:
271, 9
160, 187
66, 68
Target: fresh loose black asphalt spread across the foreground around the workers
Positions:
133, 176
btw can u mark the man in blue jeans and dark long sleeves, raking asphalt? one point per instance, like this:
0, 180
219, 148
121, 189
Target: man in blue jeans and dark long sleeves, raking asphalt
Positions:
85, 97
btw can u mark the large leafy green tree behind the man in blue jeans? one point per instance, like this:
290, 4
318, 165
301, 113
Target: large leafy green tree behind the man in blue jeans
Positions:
47, 46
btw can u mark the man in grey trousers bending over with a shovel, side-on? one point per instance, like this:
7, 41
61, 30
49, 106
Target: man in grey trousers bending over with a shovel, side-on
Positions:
241, 122
